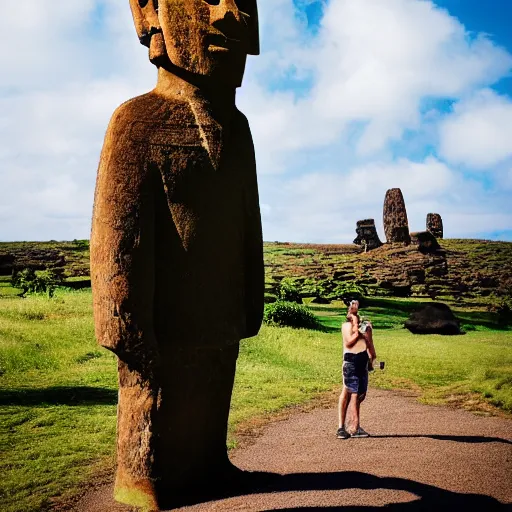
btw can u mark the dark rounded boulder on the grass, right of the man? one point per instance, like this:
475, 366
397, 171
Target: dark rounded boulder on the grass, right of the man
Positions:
436, 318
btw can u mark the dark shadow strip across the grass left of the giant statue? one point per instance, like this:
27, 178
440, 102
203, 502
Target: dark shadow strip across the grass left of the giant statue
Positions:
59, 395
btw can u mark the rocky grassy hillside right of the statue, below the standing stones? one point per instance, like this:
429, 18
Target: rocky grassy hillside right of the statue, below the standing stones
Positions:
463, 270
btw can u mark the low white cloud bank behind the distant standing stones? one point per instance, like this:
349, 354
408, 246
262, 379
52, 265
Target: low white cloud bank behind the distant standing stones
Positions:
325, 206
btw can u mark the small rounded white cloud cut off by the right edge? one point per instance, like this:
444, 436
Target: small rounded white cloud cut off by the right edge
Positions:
478, 133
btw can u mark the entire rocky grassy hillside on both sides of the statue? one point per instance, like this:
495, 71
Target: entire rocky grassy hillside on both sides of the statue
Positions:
463, 270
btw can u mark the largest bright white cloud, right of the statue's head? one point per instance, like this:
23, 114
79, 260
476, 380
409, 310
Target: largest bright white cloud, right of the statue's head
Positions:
374, 63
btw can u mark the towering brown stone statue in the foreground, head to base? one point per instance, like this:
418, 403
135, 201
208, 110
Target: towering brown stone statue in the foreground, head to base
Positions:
176, 248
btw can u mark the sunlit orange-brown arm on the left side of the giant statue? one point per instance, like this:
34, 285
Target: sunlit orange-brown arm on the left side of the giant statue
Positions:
122, 249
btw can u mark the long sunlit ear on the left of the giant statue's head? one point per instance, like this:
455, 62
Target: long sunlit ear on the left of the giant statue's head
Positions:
145, 16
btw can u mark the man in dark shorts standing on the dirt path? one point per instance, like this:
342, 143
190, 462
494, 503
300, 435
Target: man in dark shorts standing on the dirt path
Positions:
358, 351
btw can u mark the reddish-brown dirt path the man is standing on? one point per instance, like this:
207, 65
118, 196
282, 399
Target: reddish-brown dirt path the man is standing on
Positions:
418, 458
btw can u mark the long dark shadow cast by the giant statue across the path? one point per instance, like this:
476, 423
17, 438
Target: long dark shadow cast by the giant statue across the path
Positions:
428, 497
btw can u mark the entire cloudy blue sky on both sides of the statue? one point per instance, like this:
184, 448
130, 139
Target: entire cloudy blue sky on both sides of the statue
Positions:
348, 98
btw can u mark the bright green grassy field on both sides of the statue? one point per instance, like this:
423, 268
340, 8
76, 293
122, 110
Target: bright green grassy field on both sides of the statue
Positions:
58, 388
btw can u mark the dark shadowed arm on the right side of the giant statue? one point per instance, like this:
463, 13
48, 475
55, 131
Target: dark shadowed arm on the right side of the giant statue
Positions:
253, 245
